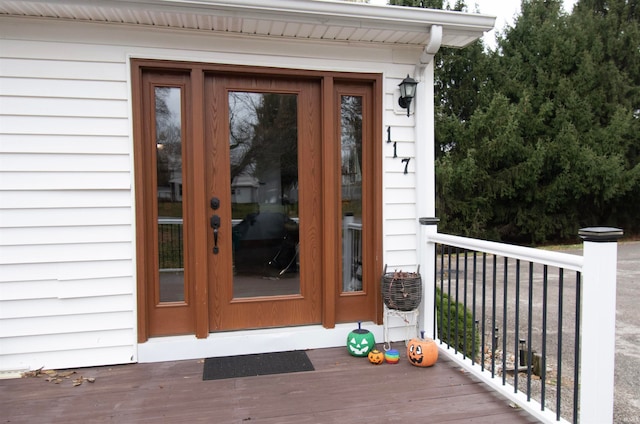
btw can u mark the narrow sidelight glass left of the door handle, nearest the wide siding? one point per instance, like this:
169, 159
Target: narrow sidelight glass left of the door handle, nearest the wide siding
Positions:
169, 184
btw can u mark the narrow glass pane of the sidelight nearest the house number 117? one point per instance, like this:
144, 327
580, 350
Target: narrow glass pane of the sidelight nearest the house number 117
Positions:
351, 177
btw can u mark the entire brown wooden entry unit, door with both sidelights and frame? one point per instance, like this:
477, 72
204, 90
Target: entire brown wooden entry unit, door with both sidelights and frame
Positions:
258, 198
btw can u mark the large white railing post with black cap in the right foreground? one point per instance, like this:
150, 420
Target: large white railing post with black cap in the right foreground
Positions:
598, 315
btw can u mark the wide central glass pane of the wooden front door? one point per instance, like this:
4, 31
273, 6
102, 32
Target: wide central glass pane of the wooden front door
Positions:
263, 145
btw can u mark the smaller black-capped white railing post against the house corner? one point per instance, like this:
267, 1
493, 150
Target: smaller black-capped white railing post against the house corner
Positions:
427, 307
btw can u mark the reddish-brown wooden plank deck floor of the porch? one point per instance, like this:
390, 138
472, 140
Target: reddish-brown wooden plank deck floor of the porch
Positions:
342, 389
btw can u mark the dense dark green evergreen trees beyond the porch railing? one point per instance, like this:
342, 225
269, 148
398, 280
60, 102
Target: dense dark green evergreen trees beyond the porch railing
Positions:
542, 136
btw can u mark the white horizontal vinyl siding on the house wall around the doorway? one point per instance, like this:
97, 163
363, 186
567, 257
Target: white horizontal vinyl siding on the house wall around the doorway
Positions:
67, 231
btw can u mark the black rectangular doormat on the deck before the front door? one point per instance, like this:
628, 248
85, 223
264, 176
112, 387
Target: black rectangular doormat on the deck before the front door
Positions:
258, 364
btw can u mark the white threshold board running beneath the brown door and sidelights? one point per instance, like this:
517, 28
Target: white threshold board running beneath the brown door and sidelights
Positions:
176, 348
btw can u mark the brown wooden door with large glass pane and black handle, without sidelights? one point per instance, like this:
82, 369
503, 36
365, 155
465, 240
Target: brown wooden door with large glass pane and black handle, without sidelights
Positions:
262, 150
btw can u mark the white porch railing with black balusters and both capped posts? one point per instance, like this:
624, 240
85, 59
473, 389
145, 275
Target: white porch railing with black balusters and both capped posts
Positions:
489, 280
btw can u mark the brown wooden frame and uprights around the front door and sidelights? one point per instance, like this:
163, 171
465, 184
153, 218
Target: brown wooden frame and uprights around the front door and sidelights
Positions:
146, 252
